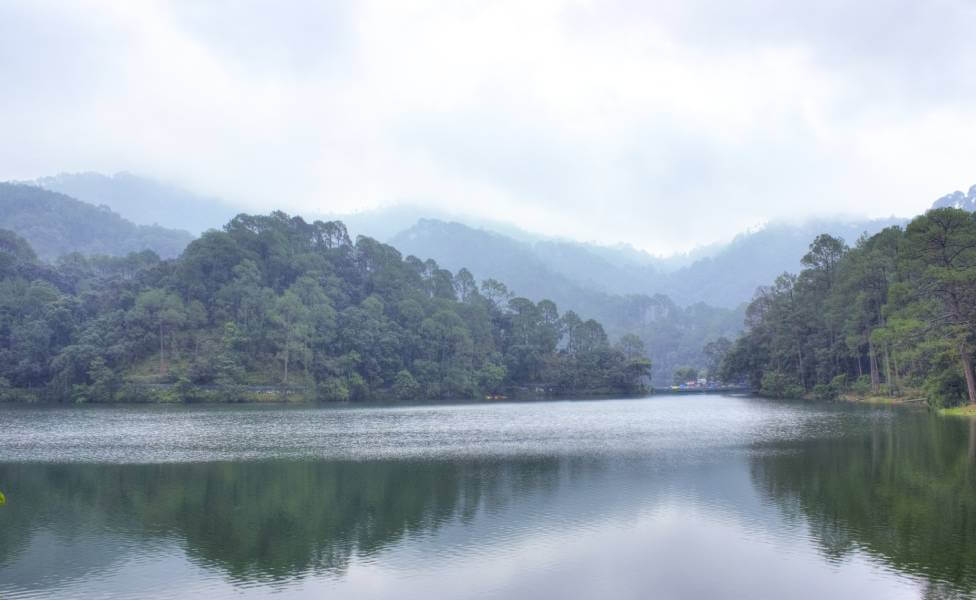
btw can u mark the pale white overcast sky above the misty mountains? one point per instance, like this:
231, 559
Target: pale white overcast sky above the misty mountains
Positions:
661, 124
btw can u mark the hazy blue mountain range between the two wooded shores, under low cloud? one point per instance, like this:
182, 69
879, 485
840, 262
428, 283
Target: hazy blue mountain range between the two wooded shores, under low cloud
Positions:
727, 278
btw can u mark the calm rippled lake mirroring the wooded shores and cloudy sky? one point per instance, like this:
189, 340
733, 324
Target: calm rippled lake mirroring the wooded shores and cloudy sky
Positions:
666, 497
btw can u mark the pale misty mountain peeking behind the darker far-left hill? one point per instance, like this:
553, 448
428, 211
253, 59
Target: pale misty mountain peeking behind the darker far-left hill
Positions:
142, 200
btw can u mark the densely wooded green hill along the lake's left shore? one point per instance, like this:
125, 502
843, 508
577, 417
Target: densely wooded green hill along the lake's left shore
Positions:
275, 301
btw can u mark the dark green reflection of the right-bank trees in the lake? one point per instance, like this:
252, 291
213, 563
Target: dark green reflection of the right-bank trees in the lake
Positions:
905, 492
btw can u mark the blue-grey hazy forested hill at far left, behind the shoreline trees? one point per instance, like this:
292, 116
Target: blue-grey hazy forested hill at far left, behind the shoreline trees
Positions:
55, 224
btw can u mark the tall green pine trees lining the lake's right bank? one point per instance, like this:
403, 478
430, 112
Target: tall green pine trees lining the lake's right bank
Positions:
895, 314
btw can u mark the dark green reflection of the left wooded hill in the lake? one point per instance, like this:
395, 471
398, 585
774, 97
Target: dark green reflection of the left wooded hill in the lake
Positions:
264, 520
